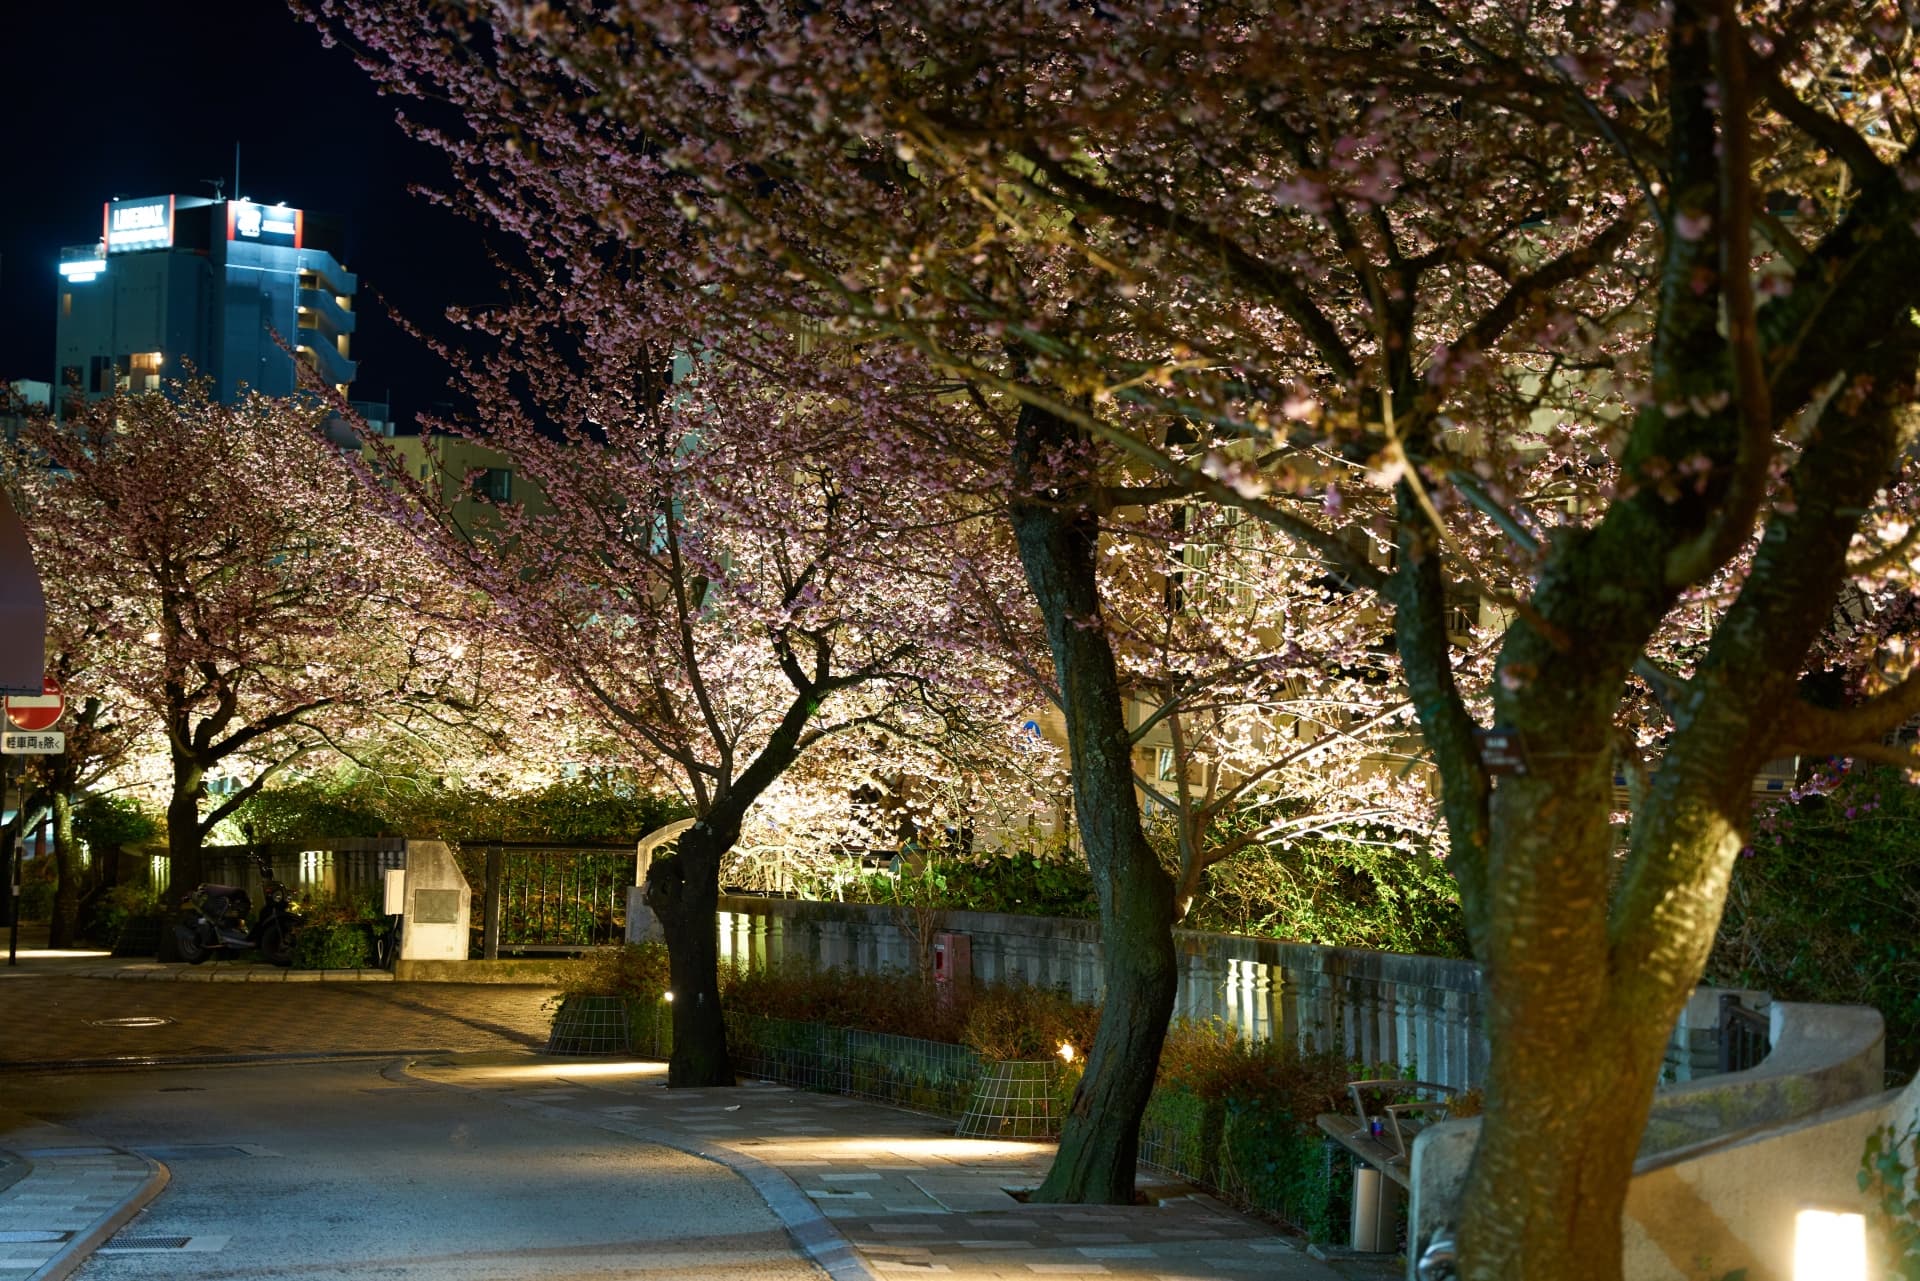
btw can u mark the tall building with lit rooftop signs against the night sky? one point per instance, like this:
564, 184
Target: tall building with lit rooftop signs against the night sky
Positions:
183, 285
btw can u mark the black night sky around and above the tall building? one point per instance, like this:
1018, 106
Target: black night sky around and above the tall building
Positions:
124, 99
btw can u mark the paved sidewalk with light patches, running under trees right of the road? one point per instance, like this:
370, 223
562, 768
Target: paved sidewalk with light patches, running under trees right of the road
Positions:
880, 1194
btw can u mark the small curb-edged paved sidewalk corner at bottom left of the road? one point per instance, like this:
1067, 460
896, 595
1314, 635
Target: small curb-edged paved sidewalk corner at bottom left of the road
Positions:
64, 1196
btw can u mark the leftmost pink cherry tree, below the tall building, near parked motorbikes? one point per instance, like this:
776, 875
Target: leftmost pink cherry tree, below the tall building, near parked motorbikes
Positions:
239, 598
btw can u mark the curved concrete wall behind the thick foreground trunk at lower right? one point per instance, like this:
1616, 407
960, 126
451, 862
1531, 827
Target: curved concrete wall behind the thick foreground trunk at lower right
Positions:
1725, 1163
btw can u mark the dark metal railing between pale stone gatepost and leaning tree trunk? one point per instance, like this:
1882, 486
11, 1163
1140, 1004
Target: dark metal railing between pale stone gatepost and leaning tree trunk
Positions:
550, 898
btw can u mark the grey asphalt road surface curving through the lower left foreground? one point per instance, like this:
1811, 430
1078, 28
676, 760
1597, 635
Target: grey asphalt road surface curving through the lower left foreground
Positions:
354, 1171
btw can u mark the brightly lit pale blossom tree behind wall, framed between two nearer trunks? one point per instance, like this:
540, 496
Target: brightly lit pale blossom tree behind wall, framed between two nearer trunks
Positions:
1264, 696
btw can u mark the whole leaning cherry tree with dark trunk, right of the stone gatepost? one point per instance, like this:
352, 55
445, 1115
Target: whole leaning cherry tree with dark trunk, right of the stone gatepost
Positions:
740, 585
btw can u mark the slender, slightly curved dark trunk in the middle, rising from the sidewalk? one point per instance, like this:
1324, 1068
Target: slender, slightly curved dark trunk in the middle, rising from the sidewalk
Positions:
1059, 544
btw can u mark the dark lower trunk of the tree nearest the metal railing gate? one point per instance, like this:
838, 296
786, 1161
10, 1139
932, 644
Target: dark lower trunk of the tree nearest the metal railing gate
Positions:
684, 892
